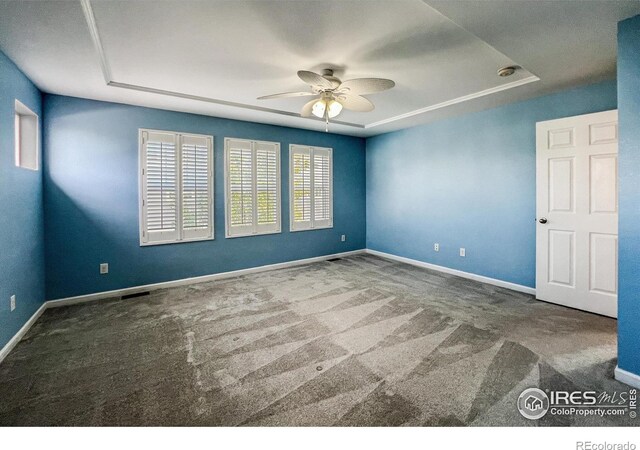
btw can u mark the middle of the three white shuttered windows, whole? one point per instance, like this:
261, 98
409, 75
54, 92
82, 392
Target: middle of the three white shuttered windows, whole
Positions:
252, 187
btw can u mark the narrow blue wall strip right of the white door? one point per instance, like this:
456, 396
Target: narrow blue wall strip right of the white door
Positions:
629, 185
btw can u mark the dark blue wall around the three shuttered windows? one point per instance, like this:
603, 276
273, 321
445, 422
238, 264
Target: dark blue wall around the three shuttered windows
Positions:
91, 197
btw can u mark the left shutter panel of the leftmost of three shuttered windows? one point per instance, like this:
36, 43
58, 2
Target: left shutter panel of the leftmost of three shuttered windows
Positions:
160, 187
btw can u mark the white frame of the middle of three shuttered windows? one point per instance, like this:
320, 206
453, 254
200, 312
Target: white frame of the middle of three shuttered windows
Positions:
255, 229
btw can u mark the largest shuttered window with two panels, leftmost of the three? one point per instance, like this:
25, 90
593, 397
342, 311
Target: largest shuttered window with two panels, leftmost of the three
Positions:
176, 187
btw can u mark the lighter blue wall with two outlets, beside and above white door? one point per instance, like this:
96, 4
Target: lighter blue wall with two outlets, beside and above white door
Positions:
467, 182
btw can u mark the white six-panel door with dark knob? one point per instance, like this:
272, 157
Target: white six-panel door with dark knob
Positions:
577, 212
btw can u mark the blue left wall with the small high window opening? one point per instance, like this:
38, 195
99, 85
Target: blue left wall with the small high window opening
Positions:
21, 223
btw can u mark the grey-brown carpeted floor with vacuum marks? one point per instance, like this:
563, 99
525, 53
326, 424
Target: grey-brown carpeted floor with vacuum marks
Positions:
356, 341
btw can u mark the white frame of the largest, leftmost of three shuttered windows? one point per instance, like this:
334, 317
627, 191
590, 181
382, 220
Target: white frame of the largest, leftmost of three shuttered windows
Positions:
181, 235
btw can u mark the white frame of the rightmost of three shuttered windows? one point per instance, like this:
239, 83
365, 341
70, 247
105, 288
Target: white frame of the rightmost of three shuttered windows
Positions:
311, 225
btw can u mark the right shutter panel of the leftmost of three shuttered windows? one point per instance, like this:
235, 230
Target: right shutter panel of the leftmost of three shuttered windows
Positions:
197, 189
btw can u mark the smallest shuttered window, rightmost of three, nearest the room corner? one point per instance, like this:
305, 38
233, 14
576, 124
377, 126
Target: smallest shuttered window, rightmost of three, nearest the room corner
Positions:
310, 187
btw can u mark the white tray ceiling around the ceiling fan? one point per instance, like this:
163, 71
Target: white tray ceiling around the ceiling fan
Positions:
217, 57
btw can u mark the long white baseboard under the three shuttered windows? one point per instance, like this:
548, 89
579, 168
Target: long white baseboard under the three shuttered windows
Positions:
194, 280
